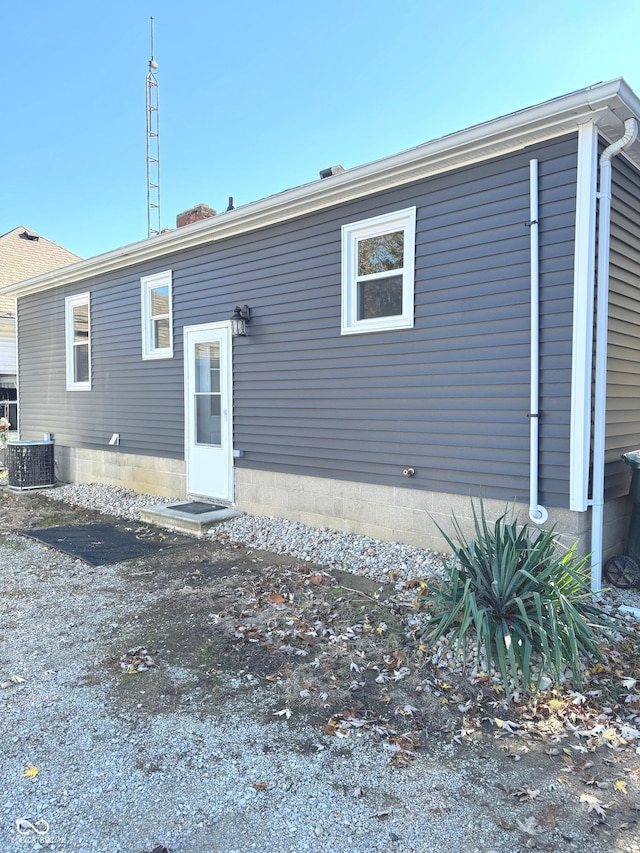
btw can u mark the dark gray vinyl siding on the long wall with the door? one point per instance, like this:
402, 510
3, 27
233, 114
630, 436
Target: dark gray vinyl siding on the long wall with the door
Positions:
449, 397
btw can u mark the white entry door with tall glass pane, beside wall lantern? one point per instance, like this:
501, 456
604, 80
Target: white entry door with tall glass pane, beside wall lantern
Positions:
208, 411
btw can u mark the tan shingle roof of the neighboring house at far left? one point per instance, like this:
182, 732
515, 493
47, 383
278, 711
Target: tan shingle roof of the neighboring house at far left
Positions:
23, 254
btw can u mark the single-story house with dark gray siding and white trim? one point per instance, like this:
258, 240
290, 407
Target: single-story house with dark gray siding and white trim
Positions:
414, 323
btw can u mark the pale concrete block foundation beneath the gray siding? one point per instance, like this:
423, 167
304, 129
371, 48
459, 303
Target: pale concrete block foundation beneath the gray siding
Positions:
390, 513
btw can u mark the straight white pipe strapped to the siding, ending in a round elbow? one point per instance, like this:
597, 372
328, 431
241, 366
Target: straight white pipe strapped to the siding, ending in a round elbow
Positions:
537, 513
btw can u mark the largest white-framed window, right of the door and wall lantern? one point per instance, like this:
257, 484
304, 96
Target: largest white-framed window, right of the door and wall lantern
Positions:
378, 259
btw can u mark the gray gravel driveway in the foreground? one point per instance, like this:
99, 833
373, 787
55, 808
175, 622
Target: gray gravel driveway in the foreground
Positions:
126, 729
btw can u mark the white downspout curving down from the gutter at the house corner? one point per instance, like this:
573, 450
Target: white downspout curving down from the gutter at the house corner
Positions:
602, 329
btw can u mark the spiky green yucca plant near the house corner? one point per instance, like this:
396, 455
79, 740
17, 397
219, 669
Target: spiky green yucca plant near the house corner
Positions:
521, 598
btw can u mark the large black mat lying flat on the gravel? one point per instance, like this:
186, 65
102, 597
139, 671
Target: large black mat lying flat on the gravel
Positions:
98, 544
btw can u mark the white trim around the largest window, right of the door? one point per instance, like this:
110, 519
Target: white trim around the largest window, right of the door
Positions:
404, 220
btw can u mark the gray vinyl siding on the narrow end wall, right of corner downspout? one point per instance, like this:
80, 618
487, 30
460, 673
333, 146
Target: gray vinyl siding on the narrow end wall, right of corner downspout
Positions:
623, 365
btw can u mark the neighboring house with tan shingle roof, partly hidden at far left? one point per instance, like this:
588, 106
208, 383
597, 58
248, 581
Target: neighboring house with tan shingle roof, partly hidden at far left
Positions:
23, 254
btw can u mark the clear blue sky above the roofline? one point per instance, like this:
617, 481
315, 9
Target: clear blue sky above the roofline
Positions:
256, 97
